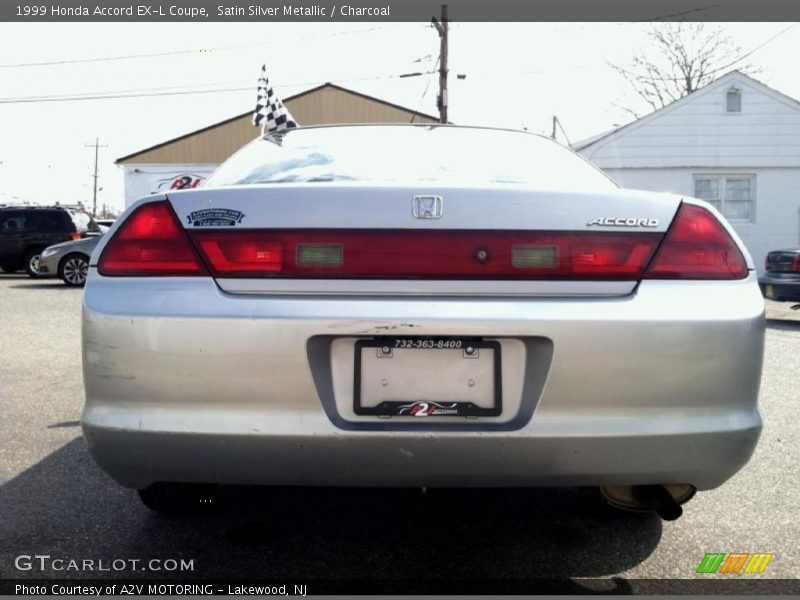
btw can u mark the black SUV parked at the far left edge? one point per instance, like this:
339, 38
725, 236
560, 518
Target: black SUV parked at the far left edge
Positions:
26, 230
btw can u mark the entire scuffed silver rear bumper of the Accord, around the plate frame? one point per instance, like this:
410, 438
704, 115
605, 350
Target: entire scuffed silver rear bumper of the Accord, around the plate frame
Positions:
187, 383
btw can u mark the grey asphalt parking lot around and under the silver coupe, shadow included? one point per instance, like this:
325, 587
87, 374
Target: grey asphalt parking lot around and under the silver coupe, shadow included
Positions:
55, 501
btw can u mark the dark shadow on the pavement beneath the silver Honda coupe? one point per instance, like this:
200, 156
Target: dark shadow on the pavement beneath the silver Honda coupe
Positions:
65, 506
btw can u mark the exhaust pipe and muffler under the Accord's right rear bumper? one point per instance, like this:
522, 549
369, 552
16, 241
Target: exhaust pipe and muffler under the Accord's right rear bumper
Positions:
664, 499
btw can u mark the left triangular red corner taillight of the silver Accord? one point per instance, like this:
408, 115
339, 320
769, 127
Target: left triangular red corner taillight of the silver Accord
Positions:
151, 242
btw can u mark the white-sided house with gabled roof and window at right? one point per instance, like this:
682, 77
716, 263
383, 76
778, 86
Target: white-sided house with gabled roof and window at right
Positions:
734, 143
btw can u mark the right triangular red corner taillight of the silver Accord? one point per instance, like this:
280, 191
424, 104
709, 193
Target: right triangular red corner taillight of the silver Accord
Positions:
697, 246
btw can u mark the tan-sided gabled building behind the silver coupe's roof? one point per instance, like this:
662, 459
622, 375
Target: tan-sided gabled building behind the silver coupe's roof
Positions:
187, 160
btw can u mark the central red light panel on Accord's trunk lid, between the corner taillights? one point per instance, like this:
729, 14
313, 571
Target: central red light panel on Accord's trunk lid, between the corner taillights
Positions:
425, 254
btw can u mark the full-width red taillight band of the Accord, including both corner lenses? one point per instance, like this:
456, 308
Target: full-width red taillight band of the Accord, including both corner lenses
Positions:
152, 242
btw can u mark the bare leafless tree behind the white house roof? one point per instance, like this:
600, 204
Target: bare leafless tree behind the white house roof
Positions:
680, 58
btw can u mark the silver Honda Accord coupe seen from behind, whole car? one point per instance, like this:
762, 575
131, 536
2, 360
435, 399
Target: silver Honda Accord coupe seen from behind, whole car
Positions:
384, 305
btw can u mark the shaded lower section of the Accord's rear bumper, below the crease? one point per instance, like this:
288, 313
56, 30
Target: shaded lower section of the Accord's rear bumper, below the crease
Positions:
137, 459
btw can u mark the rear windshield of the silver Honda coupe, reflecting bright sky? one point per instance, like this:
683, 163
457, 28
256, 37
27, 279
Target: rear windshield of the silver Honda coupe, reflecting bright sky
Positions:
397, 154
